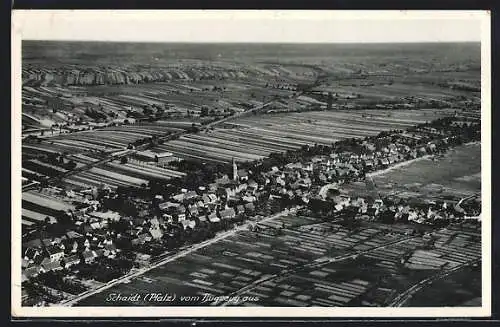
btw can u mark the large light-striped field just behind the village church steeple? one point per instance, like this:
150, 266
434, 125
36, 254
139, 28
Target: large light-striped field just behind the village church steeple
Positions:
255, 137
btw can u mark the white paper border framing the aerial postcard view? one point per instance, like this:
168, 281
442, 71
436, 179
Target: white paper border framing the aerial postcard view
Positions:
20, 19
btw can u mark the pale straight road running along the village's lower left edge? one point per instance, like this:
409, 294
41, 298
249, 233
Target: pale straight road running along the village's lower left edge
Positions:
182, 253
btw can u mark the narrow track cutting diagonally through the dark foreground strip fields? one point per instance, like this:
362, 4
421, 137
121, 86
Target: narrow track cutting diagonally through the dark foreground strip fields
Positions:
287, 272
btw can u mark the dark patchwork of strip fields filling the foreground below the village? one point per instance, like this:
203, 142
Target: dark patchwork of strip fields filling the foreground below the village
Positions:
286, 263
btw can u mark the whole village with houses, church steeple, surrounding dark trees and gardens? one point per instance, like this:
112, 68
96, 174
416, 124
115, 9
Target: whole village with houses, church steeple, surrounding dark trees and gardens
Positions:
112, 232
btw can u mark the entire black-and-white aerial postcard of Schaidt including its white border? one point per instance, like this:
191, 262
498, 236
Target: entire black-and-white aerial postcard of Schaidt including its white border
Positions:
251, 163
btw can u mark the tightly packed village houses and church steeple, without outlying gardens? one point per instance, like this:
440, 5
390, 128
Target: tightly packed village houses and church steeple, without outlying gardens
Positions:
315, 180
